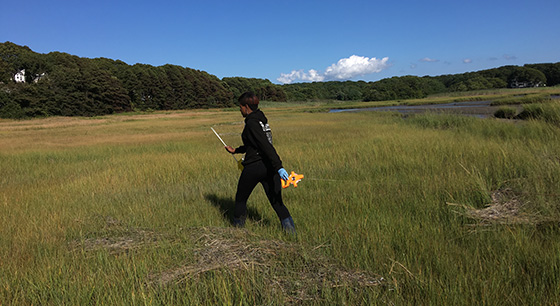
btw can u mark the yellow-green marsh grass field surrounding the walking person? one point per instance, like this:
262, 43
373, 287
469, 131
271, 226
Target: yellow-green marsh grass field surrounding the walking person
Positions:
136, 210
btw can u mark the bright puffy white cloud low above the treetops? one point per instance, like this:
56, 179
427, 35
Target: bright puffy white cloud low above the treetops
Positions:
344, 69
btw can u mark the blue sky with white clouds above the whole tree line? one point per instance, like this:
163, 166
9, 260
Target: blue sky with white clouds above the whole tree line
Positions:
294, 41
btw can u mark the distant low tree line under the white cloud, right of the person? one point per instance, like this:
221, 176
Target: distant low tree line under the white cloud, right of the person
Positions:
409, 87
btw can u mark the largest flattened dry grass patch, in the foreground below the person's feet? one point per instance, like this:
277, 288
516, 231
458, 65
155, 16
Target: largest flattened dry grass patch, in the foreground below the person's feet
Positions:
230, 249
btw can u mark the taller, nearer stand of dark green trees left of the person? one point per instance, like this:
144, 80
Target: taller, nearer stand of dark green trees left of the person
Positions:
61, 84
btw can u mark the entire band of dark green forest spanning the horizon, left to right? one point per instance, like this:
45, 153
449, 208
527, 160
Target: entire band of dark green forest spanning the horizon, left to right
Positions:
60, 84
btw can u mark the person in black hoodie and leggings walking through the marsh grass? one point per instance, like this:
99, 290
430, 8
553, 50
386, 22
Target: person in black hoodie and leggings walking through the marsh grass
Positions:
261, 164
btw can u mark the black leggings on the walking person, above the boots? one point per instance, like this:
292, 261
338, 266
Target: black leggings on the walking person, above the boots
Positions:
253, 174
